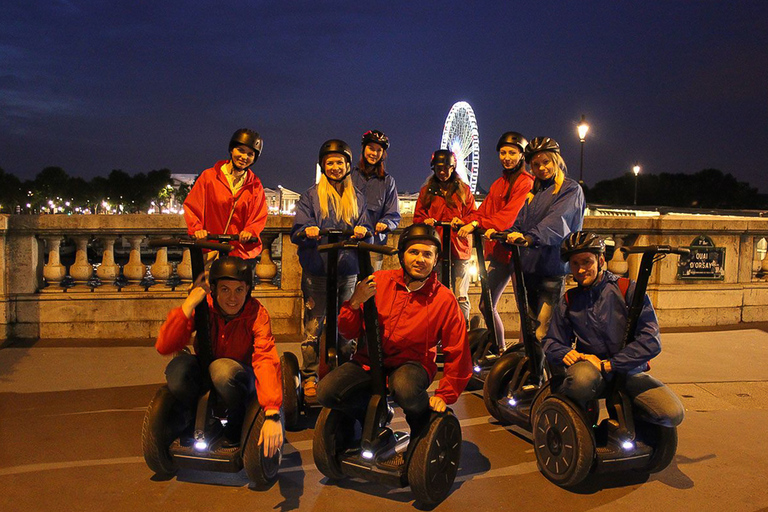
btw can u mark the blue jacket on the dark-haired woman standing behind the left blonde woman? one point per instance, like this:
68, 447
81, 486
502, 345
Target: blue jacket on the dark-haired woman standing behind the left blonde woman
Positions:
381, 200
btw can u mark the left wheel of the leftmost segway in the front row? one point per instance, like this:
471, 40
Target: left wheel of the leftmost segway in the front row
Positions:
159, 429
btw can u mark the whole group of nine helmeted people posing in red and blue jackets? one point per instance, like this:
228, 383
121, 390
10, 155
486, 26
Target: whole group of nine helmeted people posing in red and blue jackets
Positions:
533, 201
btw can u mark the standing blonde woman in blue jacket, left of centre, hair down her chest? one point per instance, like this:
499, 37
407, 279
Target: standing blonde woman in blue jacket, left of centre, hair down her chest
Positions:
333, 203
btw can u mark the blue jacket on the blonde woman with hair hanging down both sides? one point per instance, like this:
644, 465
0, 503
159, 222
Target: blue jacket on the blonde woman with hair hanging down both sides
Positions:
308, 214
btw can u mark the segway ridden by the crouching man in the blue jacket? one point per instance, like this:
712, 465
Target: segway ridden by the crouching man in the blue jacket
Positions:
567, 442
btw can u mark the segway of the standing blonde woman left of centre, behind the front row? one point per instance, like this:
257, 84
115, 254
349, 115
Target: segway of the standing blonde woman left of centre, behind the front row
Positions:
294, 402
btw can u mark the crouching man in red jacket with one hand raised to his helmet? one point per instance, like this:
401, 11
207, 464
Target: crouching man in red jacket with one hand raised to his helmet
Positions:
244, 355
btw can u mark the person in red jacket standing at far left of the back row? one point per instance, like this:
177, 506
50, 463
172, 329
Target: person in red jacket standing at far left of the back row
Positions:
228, 198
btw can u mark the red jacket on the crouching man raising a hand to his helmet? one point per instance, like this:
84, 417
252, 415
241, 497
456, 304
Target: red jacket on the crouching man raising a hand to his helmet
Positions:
246, 338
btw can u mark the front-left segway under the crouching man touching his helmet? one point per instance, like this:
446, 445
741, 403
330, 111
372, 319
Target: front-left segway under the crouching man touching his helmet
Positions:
173, 437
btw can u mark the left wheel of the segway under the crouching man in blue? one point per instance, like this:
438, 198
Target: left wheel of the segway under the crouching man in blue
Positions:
565, 450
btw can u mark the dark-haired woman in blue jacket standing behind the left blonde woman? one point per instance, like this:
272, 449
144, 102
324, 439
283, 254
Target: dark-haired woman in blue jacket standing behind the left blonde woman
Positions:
371, 178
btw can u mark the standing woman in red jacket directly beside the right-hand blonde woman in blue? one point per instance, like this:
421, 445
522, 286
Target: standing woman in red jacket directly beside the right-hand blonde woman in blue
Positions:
497, 213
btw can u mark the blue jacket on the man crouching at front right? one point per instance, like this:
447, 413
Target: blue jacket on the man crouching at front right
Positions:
595, 319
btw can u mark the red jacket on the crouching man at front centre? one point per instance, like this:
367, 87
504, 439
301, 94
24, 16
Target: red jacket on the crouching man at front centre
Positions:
411, 324
